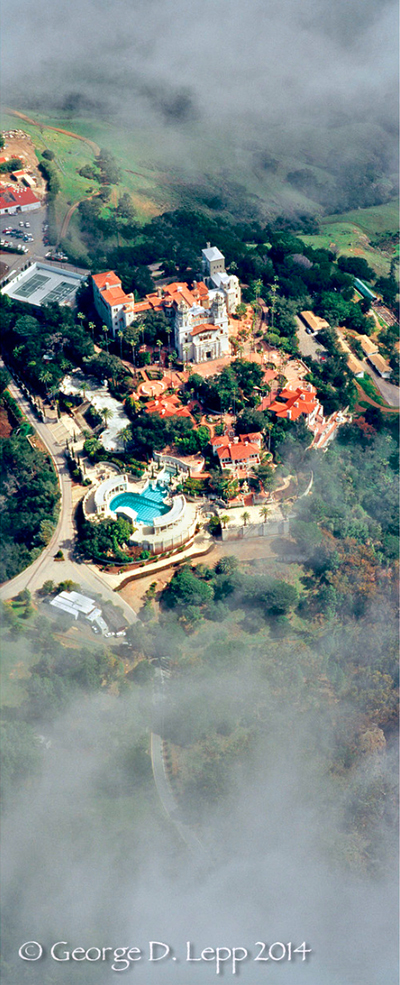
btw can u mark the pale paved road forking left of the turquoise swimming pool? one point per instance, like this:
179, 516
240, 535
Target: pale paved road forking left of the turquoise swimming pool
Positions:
45, 567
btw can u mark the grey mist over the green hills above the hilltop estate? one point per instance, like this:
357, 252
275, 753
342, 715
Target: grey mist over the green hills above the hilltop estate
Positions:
265, 89
